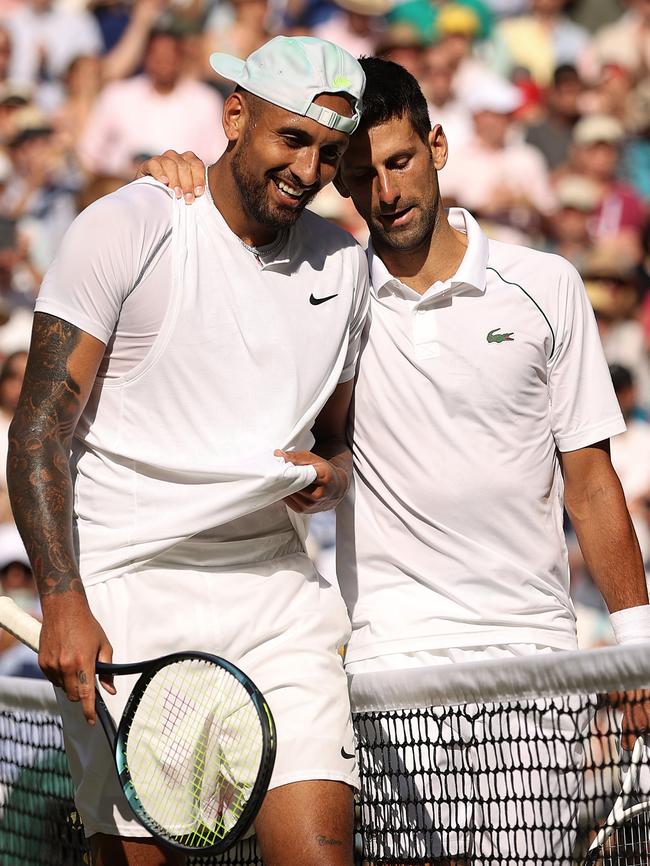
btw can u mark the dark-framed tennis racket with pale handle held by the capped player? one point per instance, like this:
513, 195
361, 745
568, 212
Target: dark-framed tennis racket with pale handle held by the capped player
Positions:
194, 749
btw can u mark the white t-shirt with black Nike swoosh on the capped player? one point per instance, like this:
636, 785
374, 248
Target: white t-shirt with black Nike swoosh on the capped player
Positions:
215, 357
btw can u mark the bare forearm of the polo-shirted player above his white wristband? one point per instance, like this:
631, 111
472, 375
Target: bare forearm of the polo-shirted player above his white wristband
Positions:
608, 542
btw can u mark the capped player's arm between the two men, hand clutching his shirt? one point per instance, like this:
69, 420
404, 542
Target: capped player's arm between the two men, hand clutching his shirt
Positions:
331, 456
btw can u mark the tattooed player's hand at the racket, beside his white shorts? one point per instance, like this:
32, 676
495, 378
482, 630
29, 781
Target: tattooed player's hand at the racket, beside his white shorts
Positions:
71, 642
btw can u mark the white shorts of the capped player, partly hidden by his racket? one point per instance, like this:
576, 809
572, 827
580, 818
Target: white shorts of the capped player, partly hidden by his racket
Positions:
279, 621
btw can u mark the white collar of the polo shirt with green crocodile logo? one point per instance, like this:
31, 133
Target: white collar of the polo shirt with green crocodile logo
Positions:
471, 272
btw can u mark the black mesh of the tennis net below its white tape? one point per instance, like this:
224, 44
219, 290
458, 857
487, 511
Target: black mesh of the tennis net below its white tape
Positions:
519, 783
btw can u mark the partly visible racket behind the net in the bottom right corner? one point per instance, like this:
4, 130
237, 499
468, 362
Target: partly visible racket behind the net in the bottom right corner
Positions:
624, 839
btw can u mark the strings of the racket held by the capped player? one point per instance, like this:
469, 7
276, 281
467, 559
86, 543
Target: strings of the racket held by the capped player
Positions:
193, 751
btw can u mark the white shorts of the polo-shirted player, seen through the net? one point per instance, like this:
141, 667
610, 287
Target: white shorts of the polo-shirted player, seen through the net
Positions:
498, 784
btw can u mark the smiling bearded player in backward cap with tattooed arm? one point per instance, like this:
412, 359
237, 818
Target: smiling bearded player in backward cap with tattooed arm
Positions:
199, 363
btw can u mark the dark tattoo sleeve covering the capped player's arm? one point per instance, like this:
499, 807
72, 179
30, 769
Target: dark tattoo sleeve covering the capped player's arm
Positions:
38, 472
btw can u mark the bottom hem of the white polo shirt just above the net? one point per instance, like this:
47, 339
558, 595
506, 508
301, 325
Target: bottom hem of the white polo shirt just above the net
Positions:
486, 637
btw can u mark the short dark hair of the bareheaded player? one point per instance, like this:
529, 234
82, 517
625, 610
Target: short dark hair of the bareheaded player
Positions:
392, 92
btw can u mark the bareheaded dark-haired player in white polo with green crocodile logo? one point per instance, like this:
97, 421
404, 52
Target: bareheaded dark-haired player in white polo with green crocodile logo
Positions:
483, 403
